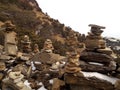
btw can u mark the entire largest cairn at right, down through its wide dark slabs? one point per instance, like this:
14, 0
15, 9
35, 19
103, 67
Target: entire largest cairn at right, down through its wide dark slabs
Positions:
97, 56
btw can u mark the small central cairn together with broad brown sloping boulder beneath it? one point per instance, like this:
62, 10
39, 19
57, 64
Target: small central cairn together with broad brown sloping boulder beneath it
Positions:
46, 56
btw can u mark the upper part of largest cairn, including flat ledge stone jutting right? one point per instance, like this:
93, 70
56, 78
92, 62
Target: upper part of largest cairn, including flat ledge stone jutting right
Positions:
95, 42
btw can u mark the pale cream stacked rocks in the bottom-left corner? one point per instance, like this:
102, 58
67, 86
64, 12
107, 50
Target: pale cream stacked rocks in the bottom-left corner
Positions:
16, 80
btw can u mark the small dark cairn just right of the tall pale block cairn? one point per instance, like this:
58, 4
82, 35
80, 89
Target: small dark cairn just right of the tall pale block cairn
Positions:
26, 44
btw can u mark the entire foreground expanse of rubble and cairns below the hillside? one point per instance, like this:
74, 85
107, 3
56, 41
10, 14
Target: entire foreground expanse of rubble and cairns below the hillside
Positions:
46, 69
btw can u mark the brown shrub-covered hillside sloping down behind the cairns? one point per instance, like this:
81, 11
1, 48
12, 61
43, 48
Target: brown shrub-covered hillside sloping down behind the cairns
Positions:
29, 19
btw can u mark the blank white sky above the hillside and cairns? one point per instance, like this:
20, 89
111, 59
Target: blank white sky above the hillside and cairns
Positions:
79, 13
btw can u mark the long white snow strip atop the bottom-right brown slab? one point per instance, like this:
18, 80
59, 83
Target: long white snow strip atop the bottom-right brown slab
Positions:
100, 76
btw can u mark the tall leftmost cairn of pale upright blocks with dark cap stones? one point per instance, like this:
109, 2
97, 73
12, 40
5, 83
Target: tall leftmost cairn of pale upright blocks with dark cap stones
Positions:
10, 39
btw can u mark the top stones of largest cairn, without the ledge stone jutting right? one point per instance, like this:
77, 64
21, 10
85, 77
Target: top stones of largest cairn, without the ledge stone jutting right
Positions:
94, 39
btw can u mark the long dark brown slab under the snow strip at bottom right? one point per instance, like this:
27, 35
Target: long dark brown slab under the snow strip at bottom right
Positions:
90, 83
